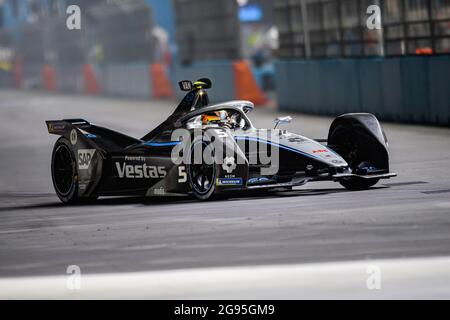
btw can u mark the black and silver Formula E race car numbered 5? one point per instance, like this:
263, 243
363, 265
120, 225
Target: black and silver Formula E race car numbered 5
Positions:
89, 161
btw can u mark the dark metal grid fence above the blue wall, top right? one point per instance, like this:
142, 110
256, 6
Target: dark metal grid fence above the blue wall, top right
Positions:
337, 28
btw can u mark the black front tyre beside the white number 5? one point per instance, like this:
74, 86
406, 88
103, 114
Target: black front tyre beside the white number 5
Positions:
202, 177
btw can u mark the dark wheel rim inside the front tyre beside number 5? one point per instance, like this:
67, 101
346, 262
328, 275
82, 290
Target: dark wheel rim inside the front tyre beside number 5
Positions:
201, 175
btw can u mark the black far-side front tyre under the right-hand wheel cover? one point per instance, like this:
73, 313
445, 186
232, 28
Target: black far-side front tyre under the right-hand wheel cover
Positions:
350, 148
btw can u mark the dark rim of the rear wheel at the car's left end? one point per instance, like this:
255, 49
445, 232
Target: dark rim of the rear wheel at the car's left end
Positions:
63, 170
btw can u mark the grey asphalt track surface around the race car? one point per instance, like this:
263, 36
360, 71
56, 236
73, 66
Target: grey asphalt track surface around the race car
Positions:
405, 217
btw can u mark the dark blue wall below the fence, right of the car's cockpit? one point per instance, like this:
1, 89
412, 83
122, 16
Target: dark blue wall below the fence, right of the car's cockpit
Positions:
407, 89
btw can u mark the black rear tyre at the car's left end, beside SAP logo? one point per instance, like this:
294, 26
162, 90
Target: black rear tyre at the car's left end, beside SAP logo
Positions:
65, 175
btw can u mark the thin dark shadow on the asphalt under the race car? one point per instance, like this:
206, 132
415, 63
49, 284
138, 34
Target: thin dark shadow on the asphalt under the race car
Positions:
248, 195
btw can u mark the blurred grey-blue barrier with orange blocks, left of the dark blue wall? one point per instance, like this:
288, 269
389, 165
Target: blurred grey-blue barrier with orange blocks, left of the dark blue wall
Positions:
140, 80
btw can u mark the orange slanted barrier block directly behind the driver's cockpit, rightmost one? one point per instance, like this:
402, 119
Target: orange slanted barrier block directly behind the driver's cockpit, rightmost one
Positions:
246, 87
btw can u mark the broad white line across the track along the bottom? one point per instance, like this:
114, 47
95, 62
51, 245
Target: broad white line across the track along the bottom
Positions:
424, 278
